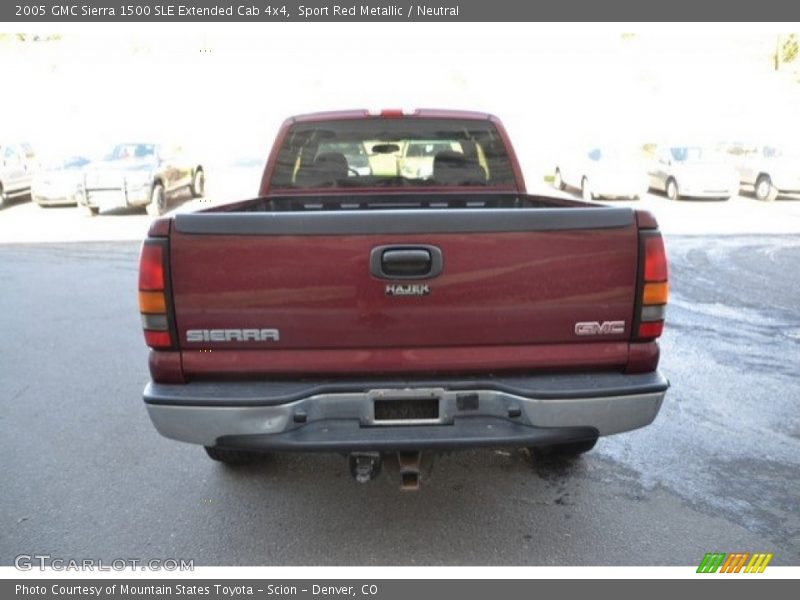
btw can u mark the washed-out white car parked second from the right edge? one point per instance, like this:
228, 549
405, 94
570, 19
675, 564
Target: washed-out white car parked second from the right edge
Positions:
692, 172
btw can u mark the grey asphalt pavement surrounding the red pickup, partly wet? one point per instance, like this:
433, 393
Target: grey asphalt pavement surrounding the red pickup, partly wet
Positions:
84, 474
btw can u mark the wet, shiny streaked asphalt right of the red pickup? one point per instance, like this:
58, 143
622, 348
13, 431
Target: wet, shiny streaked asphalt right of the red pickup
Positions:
728, 436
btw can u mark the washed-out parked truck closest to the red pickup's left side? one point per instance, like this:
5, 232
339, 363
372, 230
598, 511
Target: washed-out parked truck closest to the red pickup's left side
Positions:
140, 174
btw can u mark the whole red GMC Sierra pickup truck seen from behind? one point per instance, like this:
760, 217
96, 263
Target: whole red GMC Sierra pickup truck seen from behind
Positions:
360, 307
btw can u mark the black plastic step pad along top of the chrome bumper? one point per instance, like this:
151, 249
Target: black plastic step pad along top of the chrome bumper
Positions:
276, 392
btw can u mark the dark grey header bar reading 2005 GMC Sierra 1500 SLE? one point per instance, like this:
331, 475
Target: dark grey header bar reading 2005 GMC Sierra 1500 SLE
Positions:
280, 11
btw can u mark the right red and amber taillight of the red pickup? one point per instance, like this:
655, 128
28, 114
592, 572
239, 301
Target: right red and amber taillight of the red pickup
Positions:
654, 289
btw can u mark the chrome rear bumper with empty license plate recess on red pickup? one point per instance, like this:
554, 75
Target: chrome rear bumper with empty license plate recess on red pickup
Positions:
329, 419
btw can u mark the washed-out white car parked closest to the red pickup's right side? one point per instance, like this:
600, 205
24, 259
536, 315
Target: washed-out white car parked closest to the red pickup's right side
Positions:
604, 173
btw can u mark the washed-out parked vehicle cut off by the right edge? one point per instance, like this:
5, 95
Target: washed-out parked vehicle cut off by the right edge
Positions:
767, 171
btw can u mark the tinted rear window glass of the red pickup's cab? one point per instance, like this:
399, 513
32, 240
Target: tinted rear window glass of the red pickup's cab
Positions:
410, 152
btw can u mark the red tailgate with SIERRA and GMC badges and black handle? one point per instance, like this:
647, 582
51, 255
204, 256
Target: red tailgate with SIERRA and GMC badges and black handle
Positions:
283, 292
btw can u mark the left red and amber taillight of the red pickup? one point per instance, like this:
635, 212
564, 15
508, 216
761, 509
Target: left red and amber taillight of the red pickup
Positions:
153, 295
